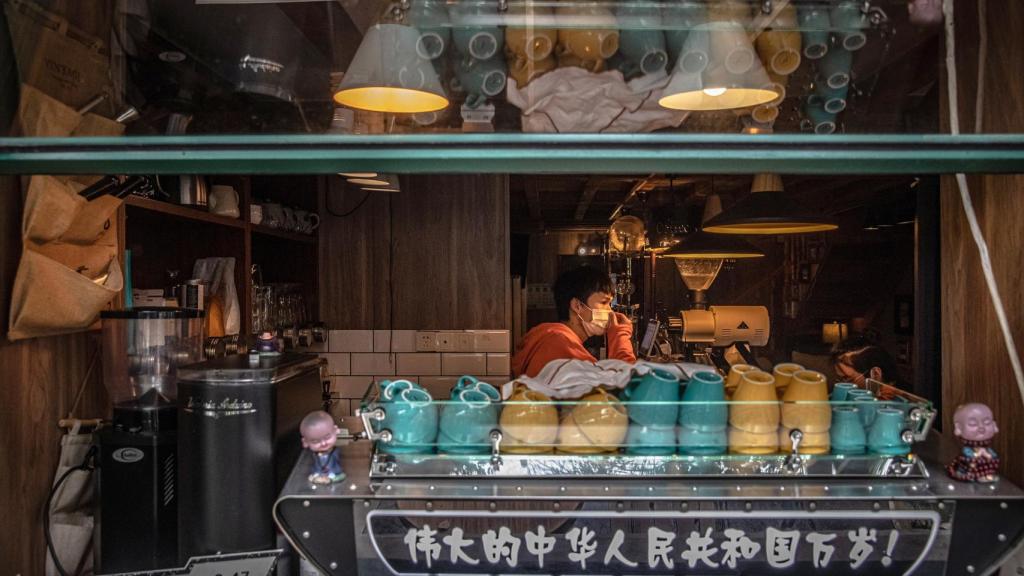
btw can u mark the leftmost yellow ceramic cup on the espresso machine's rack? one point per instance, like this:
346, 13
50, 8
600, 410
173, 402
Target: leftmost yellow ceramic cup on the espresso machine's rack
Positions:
530, 423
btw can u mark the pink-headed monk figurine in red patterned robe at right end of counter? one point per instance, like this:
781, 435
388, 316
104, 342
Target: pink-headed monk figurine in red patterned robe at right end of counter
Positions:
977, 462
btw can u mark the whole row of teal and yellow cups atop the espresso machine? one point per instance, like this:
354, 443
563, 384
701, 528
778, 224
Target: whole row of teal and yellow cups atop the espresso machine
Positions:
656, 417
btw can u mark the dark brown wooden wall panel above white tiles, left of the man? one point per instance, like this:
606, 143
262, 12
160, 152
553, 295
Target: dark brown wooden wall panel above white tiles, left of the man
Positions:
437, 253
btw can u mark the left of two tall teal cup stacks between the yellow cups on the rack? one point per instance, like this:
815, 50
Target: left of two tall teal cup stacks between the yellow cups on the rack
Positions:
653, 403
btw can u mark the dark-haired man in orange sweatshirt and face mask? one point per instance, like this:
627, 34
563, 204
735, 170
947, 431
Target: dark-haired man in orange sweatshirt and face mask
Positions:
583, 300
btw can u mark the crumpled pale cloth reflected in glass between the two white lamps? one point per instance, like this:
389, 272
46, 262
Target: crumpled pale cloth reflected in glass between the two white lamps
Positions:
573, 100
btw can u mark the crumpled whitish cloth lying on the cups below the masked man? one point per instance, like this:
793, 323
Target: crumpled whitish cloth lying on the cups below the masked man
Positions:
568, 380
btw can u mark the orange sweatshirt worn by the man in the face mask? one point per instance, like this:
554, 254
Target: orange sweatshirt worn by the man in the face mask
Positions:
554, 341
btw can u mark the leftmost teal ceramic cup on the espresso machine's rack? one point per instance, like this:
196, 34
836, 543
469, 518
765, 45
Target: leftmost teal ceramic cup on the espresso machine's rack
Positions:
412, 418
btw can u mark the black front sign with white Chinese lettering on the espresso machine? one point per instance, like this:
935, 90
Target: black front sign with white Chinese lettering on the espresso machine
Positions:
656, 543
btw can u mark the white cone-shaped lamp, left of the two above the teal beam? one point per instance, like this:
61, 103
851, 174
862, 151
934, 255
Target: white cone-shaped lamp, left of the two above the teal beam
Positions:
389, 75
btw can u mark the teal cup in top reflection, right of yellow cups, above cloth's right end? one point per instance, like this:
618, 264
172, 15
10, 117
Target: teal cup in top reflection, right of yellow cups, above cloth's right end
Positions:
642, 42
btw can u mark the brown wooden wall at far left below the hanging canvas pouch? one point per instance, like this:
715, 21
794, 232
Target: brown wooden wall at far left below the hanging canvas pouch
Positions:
38, 382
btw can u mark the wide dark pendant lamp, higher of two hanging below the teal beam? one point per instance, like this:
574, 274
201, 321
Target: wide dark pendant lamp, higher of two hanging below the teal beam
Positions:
766, 211
